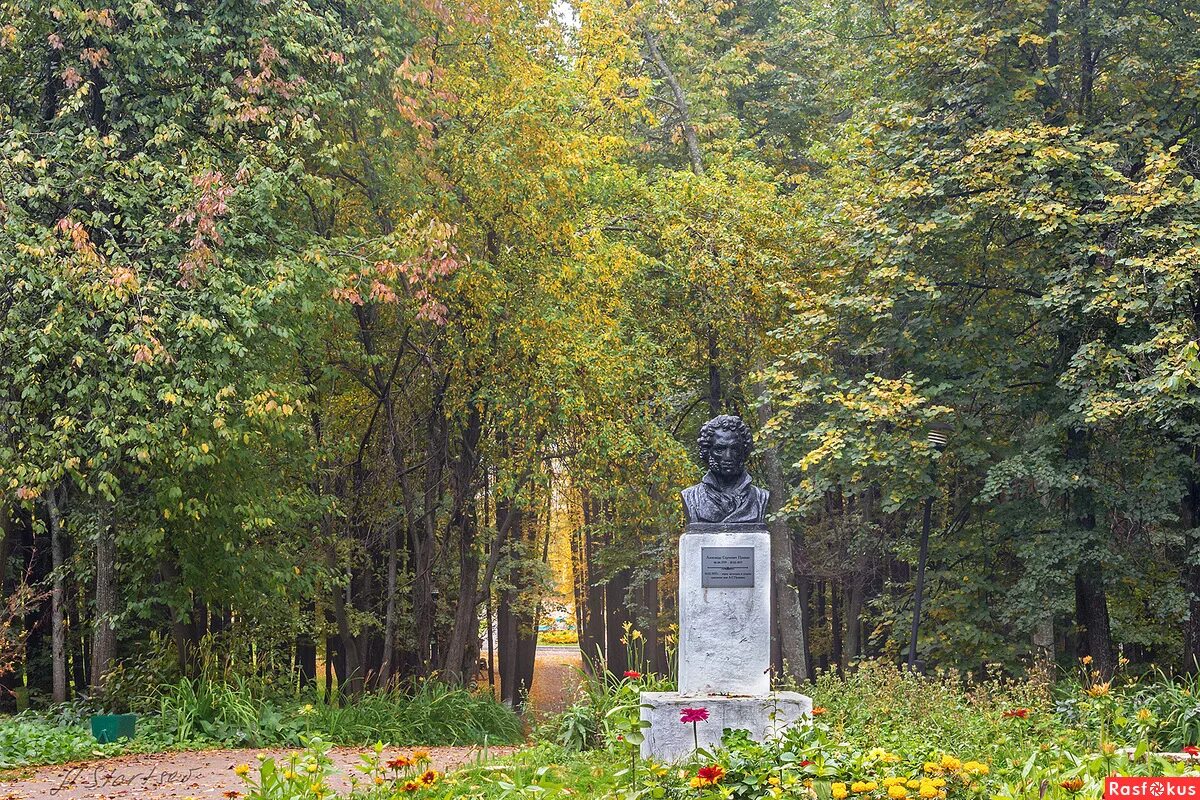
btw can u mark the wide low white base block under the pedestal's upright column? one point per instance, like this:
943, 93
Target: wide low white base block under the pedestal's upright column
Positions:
766, 717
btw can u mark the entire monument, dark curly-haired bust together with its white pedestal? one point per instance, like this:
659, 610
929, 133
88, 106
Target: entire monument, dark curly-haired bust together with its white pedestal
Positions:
724, 611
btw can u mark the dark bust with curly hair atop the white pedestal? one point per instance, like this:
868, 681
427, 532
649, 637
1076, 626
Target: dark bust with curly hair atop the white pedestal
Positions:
725, 495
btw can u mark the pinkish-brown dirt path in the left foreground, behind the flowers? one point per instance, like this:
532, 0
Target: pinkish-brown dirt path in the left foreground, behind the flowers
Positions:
203, 775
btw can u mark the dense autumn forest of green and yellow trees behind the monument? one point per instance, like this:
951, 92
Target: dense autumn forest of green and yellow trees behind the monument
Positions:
311, 309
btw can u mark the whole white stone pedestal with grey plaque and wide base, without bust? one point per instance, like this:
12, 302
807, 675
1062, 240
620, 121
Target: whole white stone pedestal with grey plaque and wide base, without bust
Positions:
724, 646
